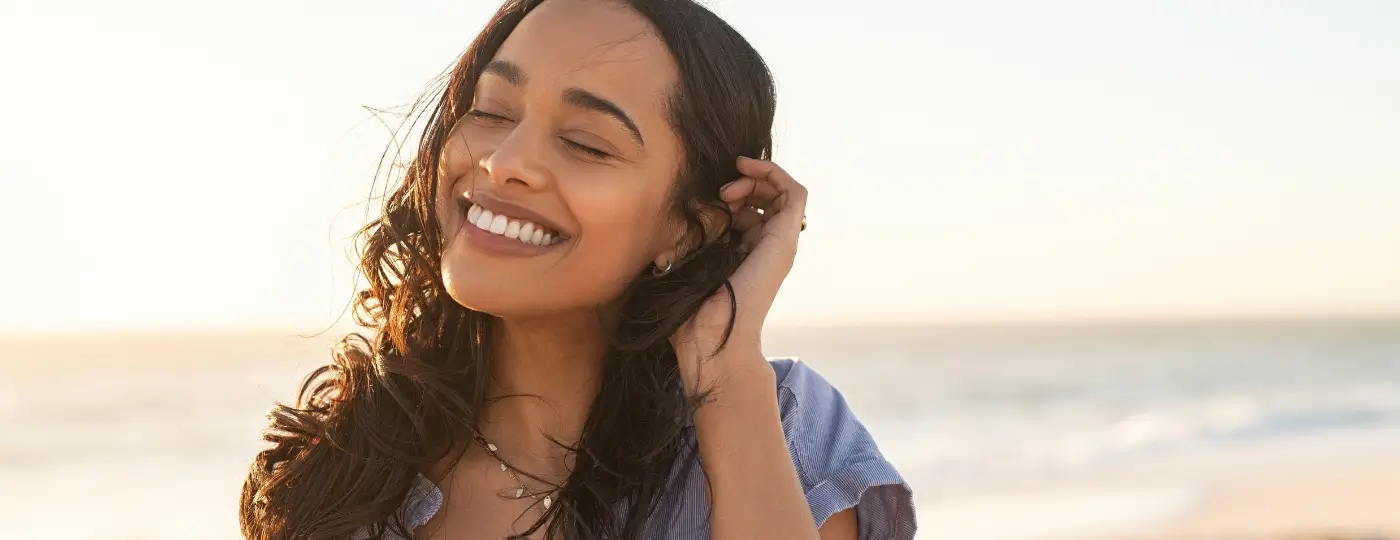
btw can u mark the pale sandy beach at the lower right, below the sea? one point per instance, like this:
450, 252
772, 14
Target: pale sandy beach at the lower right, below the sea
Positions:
1342, 486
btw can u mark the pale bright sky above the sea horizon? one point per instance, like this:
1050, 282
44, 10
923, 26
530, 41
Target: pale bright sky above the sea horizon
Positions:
201, 166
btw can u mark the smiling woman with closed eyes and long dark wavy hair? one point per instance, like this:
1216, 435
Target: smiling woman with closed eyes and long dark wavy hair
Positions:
568, 294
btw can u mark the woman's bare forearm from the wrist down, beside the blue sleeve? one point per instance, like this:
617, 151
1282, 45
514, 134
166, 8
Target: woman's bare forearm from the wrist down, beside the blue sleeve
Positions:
755, 492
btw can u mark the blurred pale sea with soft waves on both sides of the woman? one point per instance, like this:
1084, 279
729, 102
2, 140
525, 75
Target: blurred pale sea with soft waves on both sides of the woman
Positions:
148, 437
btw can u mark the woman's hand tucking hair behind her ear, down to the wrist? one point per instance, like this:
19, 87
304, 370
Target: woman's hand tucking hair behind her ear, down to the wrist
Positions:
768, 208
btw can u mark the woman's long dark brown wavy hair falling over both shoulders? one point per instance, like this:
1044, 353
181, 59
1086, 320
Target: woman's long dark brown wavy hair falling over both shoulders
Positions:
344, 458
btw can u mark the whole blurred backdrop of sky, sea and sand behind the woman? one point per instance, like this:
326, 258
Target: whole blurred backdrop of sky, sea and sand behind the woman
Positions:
1086, 269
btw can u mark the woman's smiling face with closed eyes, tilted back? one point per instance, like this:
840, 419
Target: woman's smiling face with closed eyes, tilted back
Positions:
555, 190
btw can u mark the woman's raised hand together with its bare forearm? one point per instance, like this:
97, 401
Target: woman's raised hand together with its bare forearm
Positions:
754, 482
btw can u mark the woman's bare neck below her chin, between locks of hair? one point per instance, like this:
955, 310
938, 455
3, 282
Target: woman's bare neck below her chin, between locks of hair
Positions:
545, 377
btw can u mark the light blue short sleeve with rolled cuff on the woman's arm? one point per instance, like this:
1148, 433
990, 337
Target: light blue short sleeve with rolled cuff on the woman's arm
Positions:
836, 458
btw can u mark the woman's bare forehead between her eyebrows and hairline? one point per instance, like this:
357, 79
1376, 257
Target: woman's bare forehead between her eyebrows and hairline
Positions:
601, 47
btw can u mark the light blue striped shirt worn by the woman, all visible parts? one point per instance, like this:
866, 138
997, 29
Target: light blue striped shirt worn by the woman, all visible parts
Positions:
835, 457
